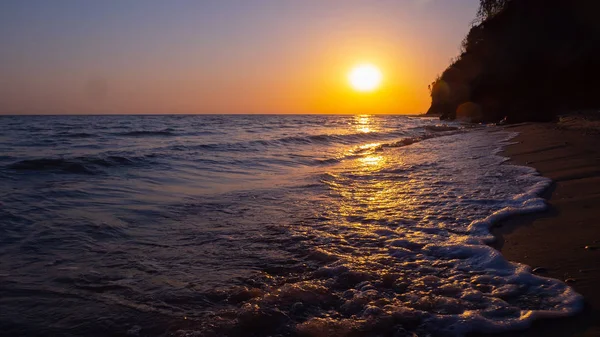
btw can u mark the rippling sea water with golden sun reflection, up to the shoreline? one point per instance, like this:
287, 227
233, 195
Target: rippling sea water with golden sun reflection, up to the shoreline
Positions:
262, 226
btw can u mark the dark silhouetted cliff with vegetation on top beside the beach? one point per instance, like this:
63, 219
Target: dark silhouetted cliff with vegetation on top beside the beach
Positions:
526, 61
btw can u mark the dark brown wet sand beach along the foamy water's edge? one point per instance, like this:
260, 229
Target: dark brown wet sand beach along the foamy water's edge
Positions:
564, 240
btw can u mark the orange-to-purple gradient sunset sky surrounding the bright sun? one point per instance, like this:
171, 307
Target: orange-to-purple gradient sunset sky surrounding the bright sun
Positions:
223, 56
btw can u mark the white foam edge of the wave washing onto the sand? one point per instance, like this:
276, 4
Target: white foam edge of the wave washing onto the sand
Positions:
514, 275
